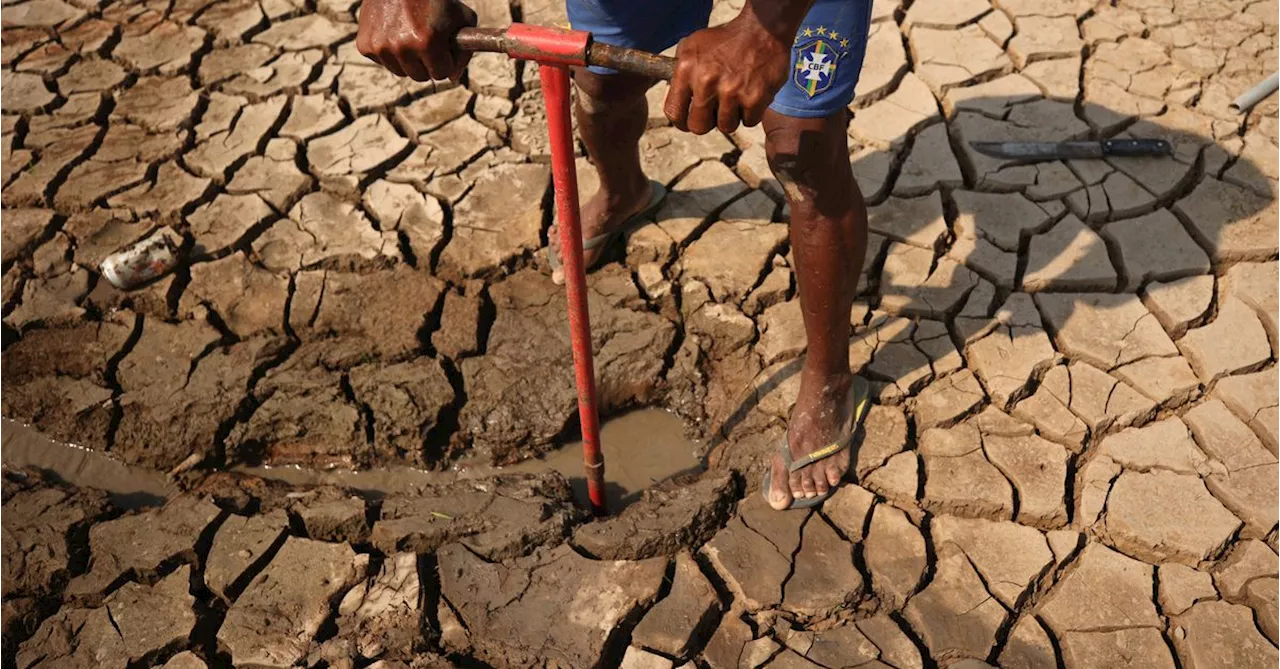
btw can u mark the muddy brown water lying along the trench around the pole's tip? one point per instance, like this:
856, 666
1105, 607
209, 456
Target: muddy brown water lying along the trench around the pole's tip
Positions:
642, 448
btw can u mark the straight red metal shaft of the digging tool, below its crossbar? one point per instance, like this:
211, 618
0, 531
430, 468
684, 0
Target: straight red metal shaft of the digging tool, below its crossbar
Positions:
560, 127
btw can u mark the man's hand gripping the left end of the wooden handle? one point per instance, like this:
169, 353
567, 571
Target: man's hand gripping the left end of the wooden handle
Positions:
415, 38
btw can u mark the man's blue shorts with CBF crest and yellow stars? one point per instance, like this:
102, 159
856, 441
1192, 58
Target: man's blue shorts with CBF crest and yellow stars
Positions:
826, 58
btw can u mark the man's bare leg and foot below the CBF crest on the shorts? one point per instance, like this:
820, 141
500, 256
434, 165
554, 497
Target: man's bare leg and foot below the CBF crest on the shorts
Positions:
829, 240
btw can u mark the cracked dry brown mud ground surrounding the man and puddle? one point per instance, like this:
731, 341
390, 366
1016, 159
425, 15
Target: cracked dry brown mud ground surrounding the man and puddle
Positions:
1072, 460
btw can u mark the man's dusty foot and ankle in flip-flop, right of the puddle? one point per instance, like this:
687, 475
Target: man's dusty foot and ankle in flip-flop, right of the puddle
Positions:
821, 418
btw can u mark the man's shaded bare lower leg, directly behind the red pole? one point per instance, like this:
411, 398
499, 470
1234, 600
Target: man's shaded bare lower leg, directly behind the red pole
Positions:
611, 114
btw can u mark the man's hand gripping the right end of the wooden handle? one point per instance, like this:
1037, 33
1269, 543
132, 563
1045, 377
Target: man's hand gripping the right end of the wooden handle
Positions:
729, 75
